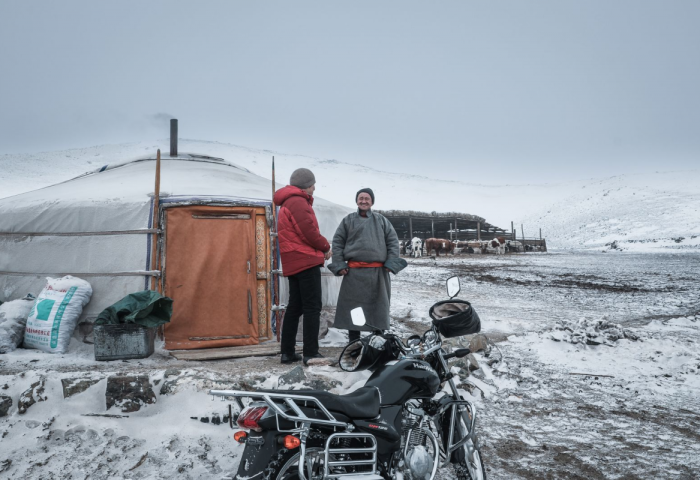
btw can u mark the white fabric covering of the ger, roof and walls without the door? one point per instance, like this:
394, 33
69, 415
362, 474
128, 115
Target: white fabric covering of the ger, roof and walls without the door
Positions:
95, 225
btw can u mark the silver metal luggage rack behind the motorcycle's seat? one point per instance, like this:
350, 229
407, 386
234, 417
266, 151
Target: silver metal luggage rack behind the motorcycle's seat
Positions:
281, 403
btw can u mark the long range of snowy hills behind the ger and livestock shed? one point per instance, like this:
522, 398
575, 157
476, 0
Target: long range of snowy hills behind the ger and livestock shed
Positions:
638, 212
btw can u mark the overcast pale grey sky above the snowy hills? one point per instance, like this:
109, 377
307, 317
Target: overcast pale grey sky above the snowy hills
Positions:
490, 91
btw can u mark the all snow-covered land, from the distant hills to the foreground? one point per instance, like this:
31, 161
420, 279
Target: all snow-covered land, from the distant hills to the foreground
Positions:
596, 372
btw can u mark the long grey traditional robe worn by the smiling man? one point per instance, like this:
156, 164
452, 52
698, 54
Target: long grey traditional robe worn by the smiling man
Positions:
365, 239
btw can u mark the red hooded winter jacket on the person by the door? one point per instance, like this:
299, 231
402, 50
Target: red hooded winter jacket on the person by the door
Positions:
301, 244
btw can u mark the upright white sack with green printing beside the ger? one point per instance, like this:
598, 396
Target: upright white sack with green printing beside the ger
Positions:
55, 314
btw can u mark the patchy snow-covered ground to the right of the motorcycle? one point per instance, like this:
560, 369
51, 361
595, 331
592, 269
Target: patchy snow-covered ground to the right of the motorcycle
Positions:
636, 415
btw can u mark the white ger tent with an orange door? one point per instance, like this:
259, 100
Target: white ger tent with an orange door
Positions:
213, 254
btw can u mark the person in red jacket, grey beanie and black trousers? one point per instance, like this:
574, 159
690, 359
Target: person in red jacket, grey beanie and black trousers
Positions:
303, 250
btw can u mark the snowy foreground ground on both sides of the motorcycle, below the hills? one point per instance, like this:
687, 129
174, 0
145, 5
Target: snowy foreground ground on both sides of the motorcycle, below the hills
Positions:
634, 415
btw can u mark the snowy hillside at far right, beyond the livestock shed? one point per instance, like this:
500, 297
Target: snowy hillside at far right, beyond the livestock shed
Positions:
627, 212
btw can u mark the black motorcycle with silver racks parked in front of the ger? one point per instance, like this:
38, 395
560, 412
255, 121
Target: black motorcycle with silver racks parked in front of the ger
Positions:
403, 424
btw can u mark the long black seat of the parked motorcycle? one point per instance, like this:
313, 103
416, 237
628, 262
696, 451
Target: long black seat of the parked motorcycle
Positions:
363, 403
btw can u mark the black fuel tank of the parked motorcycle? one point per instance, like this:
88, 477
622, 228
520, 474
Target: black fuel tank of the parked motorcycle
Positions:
401, 380
